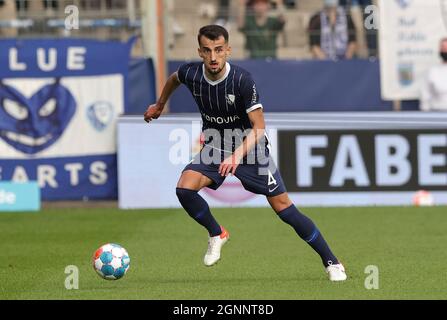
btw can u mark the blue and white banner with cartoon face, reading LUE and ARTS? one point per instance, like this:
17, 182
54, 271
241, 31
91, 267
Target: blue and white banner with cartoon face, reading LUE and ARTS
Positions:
59, 102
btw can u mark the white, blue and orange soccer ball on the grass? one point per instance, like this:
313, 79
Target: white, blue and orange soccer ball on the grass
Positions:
111, 261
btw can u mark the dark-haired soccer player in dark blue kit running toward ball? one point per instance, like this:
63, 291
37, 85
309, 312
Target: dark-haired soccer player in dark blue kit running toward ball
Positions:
234, 143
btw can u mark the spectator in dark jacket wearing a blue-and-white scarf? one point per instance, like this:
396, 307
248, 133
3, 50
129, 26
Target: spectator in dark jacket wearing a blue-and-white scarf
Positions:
332, 33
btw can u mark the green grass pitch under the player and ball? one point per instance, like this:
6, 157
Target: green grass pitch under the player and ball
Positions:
264, 258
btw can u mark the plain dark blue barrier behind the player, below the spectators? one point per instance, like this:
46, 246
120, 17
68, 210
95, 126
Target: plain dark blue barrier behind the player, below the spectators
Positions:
307, 86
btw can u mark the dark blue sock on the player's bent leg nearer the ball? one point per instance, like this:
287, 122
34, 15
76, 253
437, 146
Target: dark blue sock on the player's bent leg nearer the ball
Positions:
199, 210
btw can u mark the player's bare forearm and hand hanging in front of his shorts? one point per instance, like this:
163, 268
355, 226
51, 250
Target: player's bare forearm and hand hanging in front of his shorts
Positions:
230, 164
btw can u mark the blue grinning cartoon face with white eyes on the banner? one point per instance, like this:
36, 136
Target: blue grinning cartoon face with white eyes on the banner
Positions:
33, 124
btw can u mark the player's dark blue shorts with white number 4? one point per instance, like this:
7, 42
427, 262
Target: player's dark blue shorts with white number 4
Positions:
258, 174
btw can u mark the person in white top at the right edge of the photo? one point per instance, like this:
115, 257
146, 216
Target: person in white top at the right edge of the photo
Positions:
434, 88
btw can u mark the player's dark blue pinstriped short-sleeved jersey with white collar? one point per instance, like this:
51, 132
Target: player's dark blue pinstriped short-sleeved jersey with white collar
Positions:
224, 103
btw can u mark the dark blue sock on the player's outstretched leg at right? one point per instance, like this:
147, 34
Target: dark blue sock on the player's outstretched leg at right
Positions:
307, 231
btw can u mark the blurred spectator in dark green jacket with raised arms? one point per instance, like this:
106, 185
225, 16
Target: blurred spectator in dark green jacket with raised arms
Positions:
260, 27
